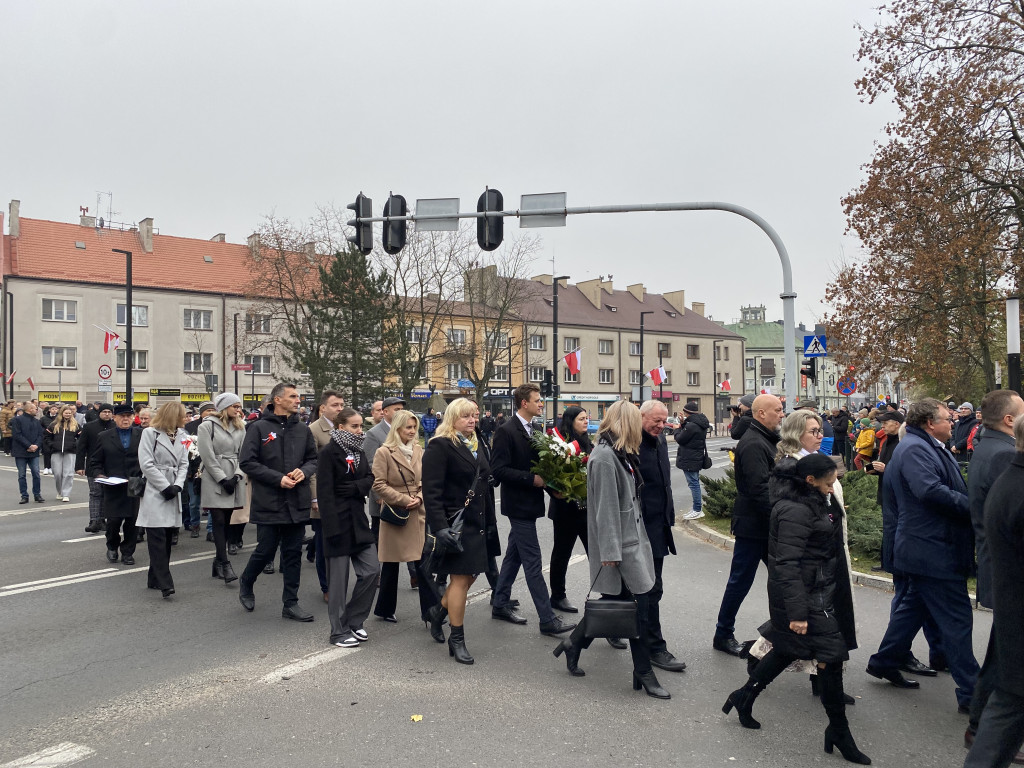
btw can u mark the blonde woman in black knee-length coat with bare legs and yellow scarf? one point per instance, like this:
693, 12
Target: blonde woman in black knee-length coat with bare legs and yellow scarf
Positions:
455, 476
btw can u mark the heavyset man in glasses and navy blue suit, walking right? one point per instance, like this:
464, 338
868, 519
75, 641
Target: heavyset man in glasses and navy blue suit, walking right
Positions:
933, 550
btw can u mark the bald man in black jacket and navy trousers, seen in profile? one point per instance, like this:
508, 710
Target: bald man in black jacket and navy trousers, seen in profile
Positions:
755, 459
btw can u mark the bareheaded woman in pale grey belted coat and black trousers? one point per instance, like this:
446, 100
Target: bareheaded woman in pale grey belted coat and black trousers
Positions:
164, 461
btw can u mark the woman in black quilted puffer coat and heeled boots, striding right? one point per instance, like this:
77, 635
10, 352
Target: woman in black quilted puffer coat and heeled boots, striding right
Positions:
809, 595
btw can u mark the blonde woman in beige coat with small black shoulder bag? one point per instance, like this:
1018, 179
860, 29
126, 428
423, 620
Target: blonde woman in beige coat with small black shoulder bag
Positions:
398, 483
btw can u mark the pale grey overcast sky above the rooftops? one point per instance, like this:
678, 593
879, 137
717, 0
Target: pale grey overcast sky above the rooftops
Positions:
208, 116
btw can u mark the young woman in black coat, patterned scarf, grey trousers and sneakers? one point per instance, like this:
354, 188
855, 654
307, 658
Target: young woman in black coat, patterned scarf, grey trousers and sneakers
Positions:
344, 480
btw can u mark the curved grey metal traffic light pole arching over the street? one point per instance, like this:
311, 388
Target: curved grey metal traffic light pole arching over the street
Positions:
789, 296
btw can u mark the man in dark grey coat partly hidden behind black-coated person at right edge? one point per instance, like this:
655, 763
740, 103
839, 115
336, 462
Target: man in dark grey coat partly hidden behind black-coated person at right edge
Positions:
993, 455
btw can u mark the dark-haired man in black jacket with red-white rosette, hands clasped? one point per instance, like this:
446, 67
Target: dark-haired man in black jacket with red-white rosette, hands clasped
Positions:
279, 455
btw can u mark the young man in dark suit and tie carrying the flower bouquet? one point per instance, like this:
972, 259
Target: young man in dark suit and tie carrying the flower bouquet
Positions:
523, 503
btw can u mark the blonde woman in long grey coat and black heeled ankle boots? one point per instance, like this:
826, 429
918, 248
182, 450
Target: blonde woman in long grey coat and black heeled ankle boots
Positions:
621, 562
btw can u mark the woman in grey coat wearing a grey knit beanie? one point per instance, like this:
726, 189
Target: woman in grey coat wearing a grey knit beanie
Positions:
224, 488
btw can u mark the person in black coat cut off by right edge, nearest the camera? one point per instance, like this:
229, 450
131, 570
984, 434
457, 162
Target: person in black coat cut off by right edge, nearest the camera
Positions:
1001, 732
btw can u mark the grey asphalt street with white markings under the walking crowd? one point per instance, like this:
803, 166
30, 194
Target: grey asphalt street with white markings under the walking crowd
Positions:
97, 670
